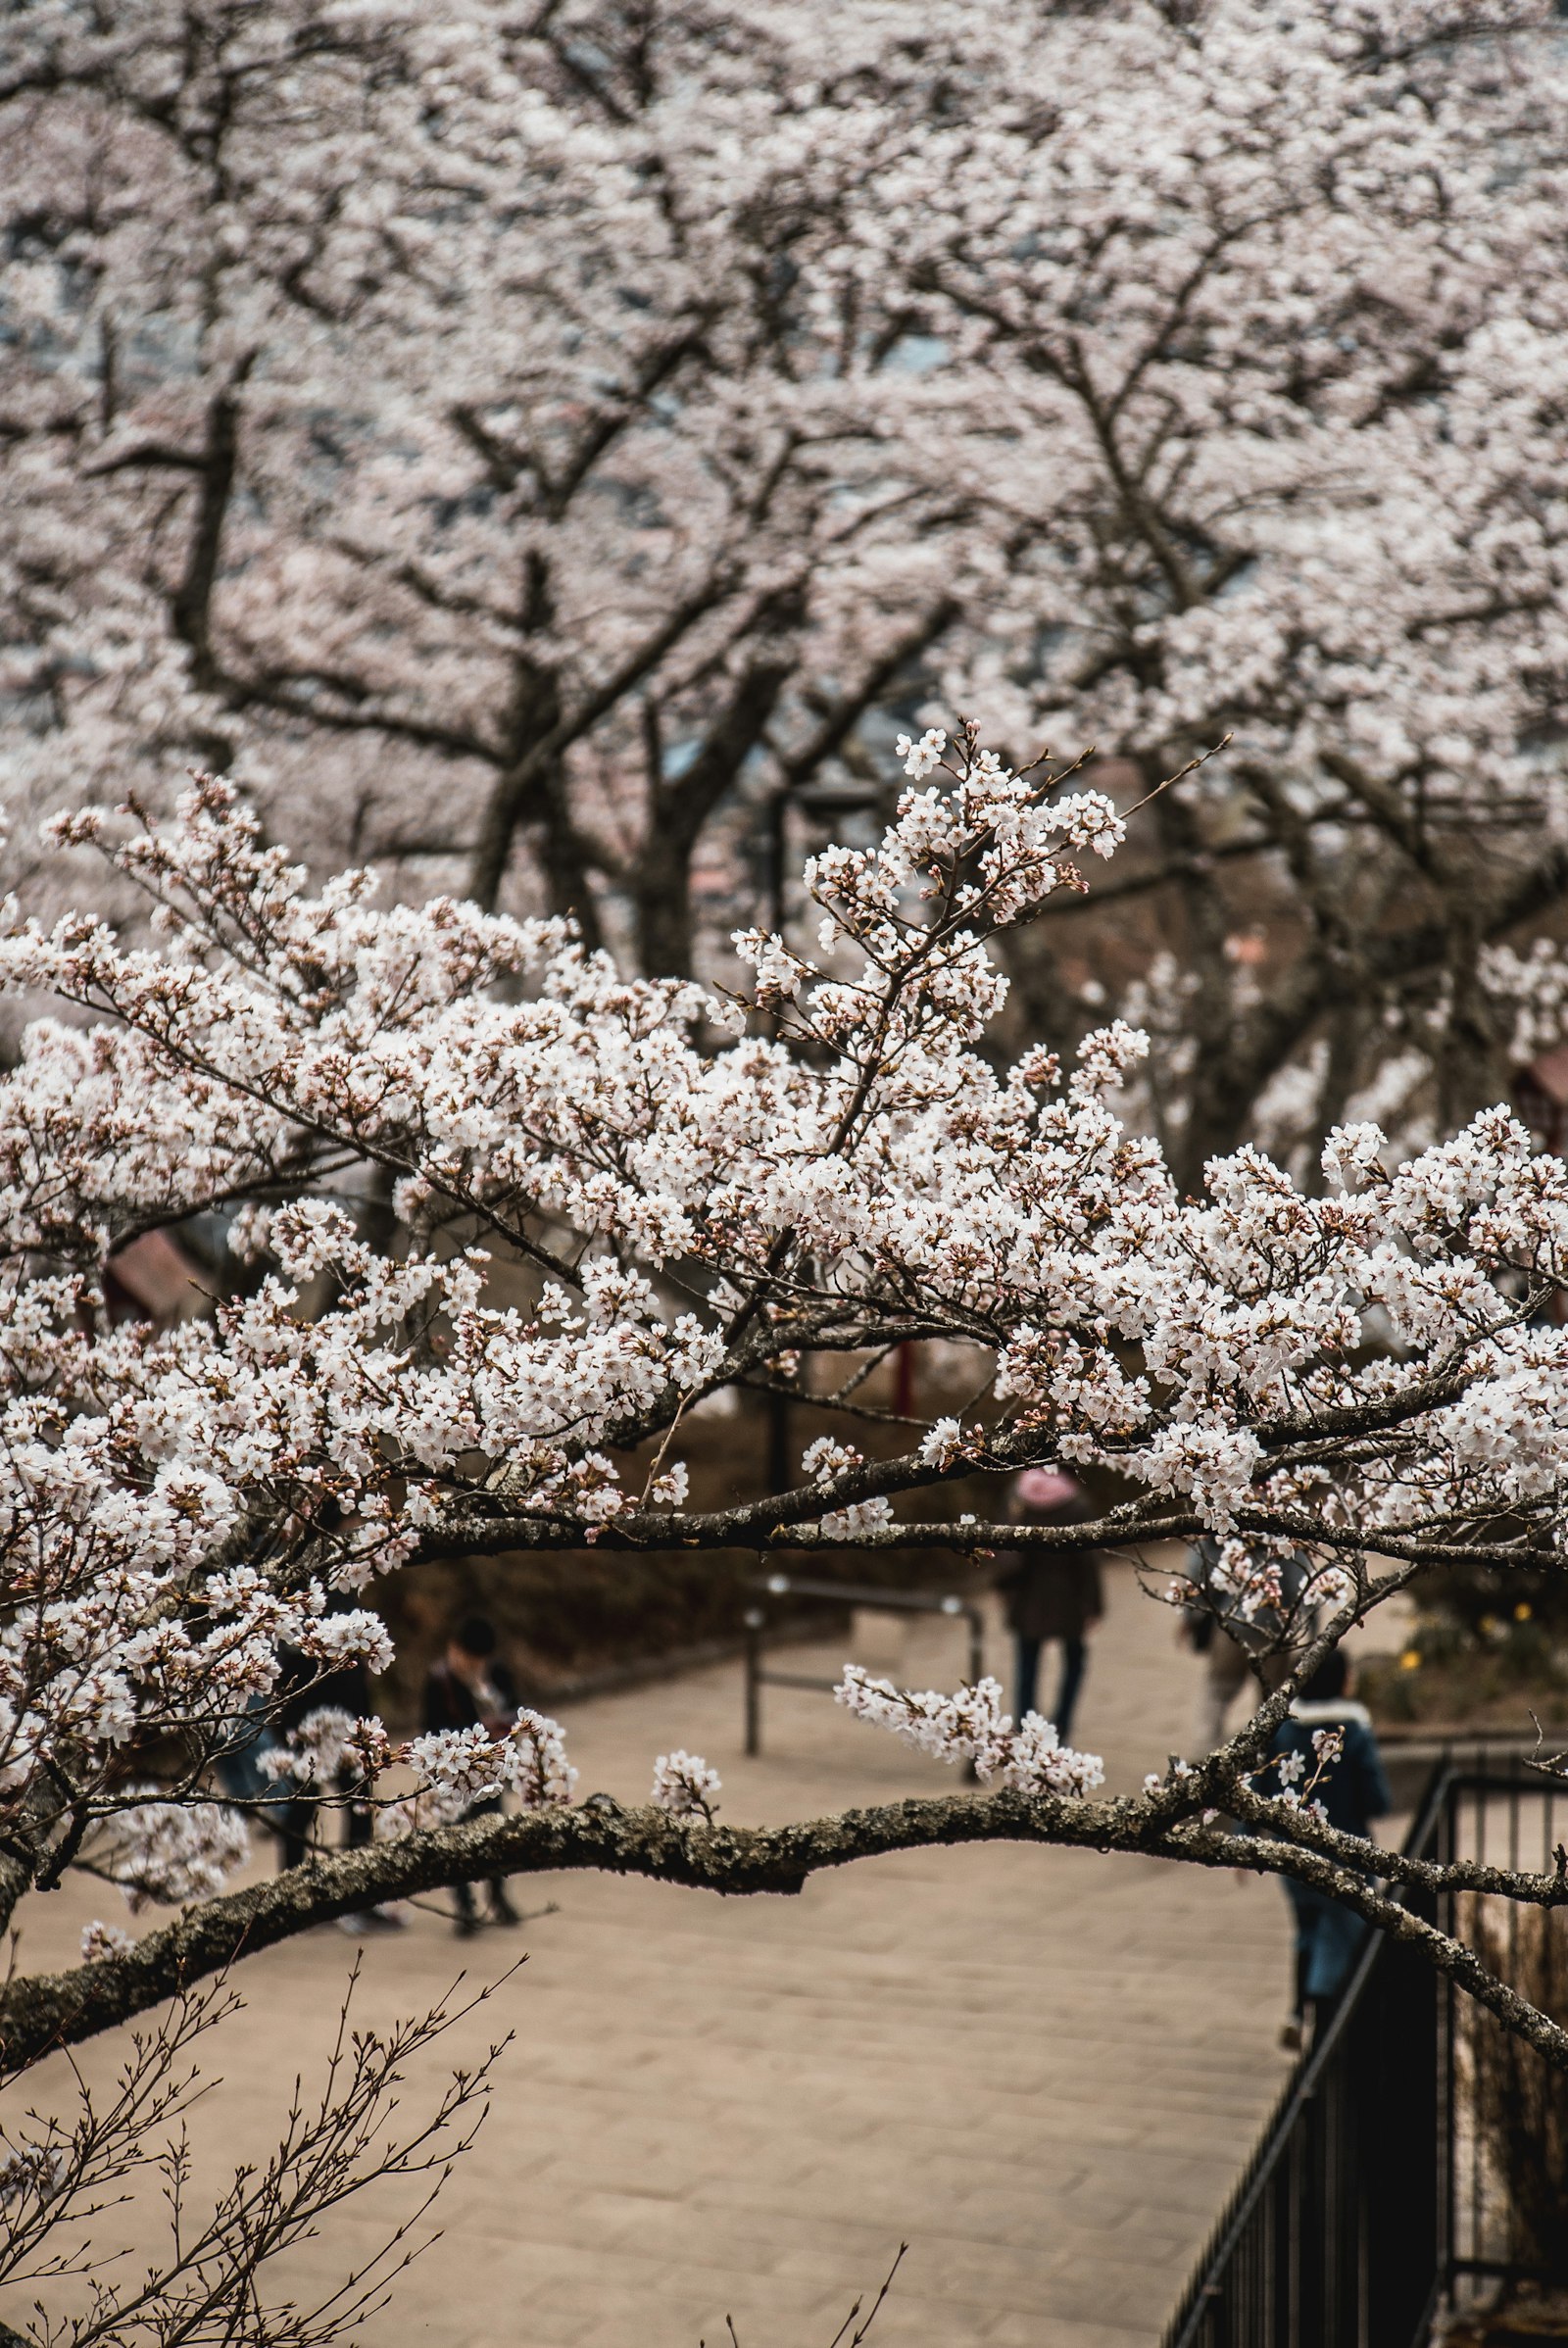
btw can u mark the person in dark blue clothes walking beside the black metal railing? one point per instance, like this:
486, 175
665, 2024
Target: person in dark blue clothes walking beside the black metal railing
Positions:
1353, 1790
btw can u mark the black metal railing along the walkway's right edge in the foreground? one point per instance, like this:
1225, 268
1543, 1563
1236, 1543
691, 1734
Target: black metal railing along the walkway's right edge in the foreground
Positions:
1381, 2187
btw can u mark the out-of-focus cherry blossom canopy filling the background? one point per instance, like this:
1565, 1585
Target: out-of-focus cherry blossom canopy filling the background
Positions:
527, 443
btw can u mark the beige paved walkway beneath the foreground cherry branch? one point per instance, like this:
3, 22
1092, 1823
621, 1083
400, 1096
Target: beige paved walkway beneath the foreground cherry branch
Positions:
1041, 2070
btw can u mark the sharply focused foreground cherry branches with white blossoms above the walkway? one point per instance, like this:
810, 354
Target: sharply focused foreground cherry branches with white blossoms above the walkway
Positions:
621, 1199
